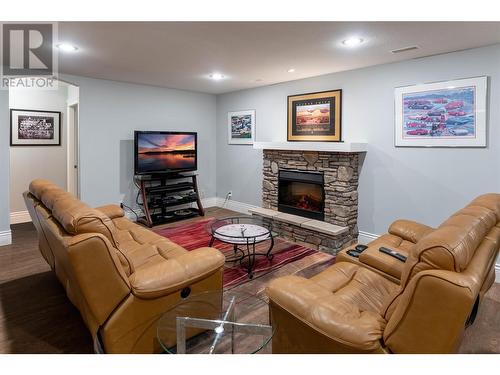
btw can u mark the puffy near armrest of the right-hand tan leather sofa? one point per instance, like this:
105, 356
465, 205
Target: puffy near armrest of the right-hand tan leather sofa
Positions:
325, 313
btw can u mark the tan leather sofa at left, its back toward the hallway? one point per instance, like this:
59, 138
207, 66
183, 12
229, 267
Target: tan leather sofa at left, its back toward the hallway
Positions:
121, 276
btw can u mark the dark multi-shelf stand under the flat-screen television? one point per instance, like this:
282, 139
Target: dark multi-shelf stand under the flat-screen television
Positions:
164, 195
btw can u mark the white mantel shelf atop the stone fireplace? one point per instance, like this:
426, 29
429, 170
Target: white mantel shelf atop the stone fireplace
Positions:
347, 147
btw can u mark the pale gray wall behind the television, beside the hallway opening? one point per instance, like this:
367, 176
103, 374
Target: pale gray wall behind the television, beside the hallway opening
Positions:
111, 111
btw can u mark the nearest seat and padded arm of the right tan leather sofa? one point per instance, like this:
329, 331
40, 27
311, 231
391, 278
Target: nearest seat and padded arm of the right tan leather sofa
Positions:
343, 302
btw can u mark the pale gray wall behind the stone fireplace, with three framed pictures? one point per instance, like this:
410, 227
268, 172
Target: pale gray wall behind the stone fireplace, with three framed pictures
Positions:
426, 185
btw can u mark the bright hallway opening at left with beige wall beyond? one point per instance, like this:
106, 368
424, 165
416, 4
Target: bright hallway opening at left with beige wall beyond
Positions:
57, 108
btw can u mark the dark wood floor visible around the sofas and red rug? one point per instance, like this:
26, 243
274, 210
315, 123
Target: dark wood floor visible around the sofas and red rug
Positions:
37, 317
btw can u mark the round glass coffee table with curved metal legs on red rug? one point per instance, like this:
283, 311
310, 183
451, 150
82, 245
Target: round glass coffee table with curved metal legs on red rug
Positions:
244, 233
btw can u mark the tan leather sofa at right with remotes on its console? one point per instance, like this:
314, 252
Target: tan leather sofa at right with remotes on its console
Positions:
376, 305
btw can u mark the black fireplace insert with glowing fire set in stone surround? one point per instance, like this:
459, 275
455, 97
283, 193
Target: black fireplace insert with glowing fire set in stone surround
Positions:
301, 193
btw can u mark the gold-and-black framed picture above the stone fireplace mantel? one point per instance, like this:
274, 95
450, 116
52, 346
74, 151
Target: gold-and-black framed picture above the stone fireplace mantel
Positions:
315, 116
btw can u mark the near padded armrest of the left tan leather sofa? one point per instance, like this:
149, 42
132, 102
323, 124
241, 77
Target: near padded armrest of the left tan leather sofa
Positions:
169, 275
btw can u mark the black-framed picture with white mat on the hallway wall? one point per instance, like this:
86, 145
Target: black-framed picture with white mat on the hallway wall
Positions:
35, 128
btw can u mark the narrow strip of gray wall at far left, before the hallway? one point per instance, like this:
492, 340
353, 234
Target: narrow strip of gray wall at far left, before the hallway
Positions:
4, 161
